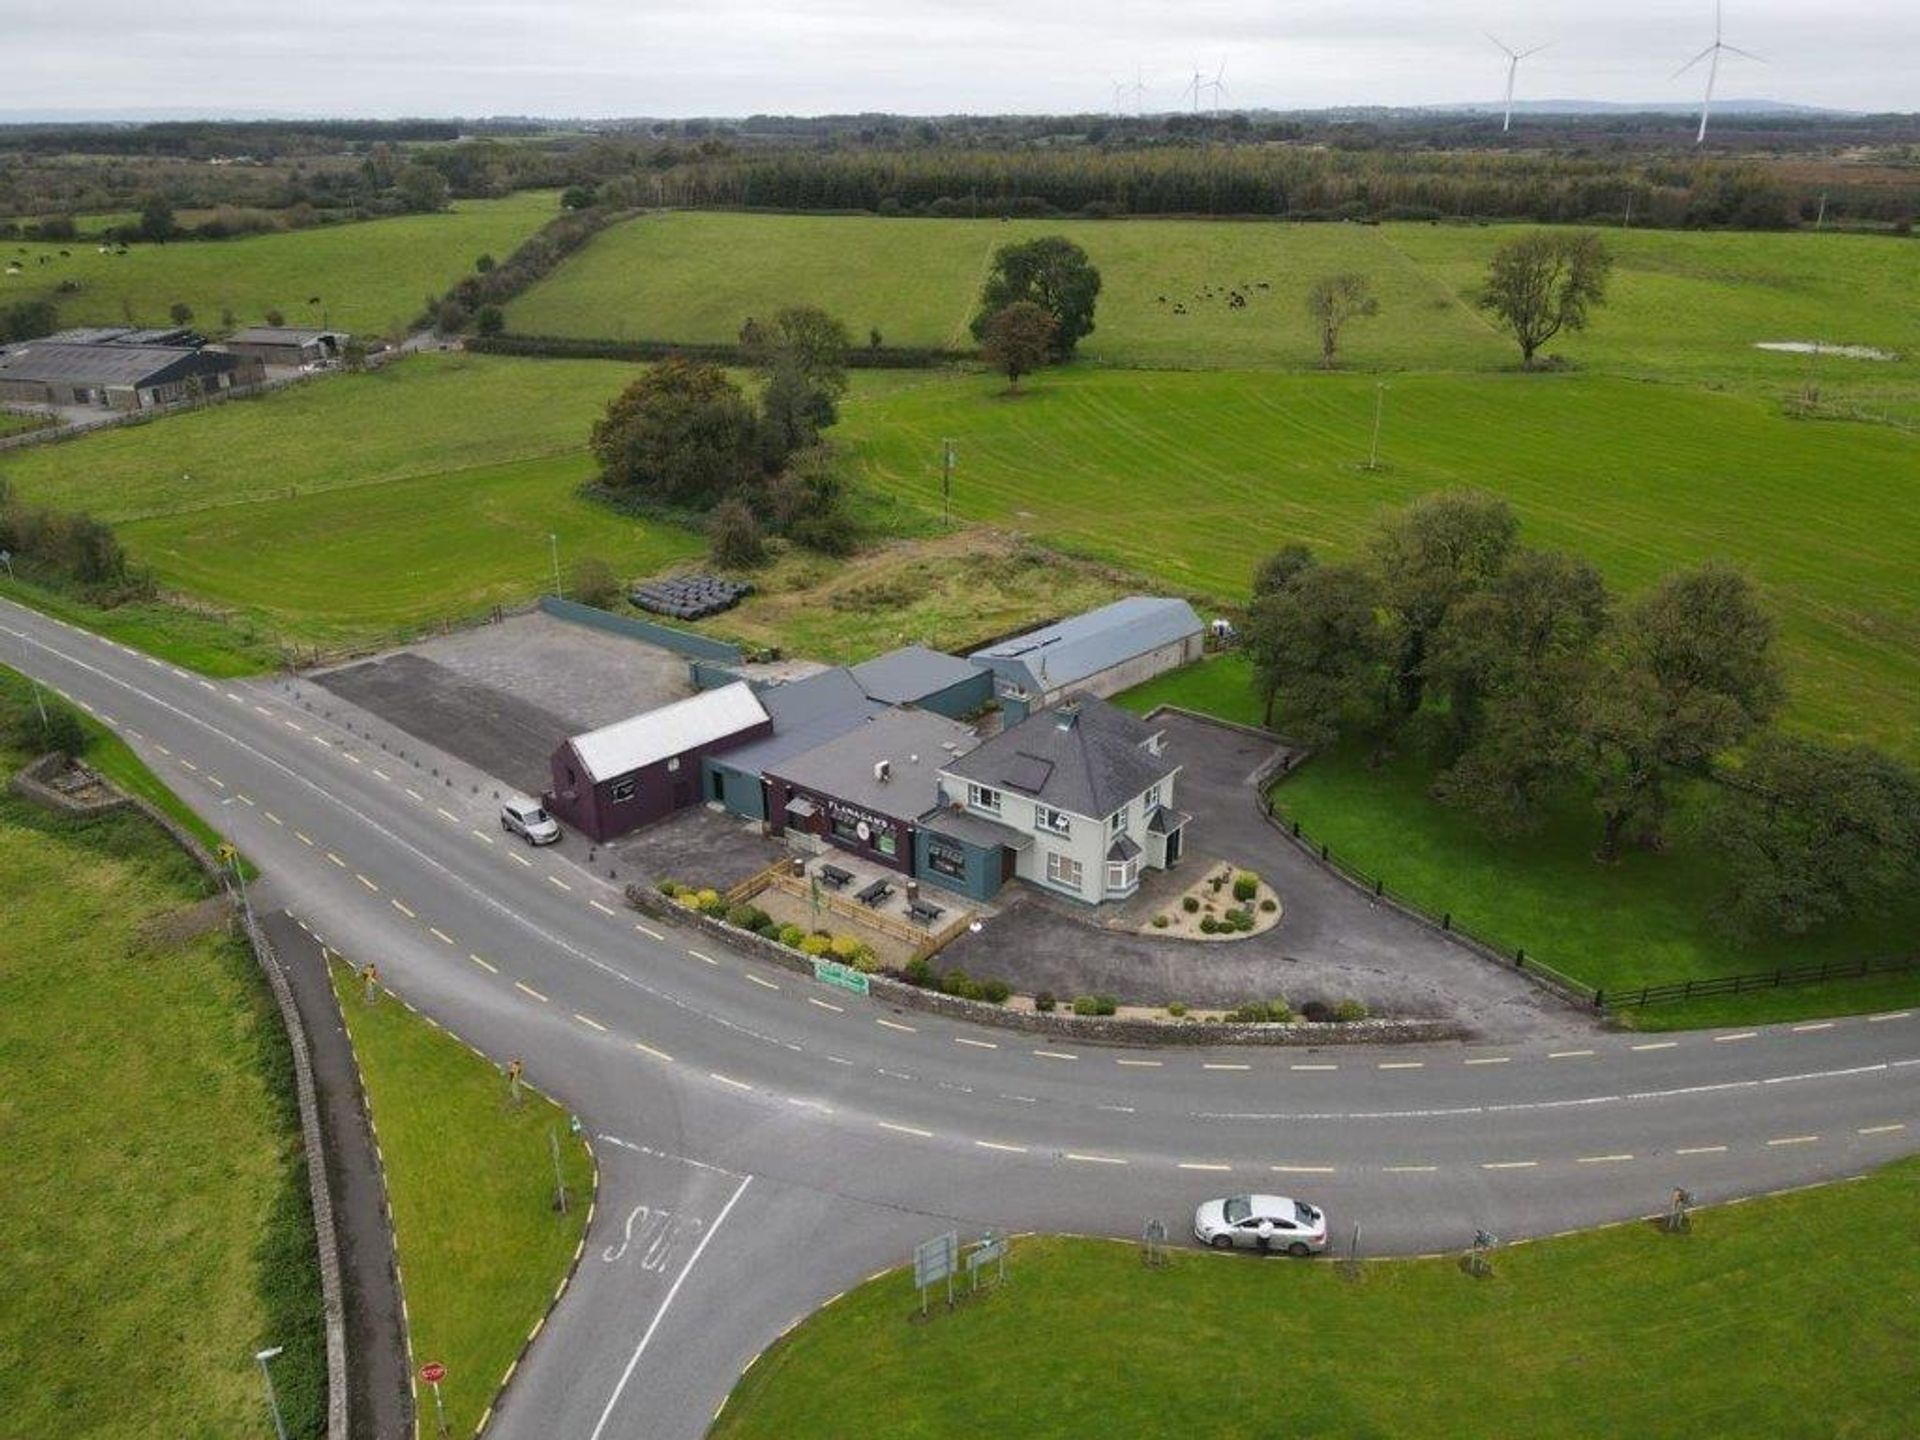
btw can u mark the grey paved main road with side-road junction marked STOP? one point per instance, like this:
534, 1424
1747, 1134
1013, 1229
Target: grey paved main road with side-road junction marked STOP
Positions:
767, 1143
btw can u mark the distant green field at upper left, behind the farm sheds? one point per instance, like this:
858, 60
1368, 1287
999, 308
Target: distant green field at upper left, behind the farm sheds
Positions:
372, 277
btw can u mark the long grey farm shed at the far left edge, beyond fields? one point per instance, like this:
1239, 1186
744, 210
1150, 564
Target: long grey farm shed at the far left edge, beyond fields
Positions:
118, 375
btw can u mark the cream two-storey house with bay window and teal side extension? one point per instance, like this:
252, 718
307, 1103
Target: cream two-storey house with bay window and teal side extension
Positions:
1076, 800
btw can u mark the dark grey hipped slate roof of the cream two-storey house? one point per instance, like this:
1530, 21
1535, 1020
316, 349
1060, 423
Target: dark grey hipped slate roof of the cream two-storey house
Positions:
1084, 757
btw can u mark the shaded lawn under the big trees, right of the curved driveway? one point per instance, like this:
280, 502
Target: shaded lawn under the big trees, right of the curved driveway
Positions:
1646, 921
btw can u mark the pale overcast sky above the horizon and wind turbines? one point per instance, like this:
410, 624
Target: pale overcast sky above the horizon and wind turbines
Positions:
923, 57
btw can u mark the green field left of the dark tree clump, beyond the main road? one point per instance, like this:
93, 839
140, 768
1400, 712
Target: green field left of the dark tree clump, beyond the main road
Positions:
368, 502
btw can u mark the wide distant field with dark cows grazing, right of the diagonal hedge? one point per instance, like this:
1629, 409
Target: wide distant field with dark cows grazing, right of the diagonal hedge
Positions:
1683, 304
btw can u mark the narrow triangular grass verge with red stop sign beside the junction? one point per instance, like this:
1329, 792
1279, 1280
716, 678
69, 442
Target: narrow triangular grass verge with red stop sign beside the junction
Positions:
471, 1188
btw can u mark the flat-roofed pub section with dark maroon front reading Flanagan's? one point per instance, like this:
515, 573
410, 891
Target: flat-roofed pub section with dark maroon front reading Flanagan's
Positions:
867, 790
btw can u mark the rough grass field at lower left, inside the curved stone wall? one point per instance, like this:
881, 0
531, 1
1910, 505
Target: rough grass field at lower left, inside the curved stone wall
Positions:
156, 1201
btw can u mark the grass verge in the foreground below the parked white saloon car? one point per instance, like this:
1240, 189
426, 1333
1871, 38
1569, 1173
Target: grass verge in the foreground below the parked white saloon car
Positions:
1621, 1332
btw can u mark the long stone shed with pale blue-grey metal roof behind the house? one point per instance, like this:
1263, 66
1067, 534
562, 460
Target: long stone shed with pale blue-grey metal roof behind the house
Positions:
1095, 654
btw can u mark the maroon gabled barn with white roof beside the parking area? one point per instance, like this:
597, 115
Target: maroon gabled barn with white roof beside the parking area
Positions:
636, 771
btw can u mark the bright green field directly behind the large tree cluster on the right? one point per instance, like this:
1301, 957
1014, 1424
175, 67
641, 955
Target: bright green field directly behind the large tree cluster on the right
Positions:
1193, 477
